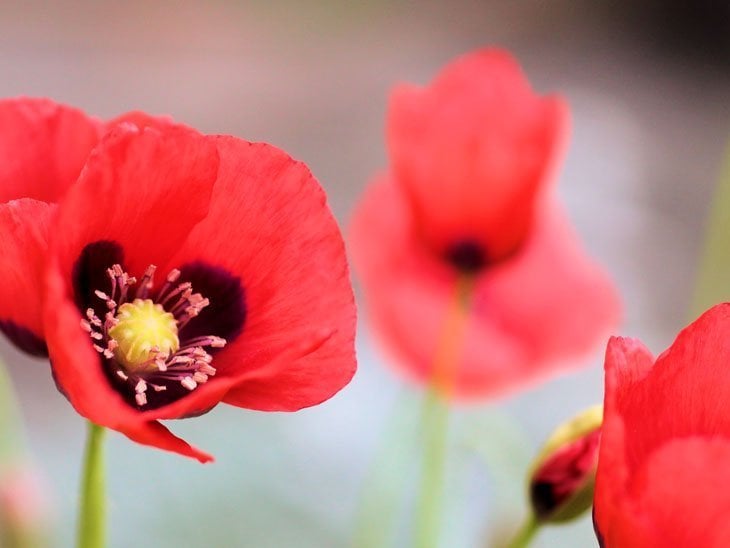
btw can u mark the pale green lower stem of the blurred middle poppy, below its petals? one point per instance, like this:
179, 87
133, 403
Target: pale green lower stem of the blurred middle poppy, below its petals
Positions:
435, 420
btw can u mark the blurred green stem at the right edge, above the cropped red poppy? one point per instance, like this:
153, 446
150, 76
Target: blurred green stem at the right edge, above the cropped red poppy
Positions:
713, 272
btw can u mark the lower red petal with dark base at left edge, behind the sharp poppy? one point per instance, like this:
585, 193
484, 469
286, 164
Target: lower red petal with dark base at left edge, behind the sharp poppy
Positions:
24, 229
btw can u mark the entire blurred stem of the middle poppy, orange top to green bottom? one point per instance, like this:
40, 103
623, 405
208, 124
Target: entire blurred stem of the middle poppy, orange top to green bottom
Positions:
436, 416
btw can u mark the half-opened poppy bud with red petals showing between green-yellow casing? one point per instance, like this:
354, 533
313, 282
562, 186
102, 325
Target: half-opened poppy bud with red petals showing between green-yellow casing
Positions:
563, 475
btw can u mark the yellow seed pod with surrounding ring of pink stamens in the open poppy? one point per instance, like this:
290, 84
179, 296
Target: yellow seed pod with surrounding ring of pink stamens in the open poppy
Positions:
140, 338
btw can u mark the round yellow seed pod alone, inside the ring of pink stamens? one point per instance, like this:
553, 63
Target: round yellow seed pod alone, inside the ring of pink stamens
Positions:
144, 329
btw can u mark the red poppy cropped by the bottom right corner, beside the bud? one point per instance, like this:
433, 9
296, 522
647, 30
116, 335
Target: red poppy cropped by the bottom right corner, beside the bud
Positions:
663, 474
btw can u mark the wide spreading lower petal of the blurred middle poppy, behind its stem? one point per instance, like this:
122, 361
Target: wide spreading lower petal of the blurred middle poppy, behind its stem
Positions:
547, 304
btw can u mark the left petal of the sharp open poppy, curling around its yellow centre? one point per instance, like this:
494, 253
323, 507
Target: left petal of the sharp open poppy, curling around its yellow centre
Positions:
143, 190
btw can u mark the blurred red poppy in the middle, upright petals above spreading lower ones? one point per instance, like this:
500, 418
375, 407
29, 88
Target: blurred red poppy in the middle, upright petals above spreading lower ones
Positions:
468, 195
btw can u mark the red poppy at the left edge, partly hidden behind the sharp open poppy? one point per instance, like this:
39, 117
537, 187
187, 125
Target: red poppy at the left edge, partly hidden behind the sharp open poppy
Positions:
43, 146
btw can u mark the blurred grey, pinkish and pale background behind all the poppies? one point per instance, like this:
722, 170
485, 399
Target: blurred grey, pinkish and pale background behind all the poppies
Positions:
649, 88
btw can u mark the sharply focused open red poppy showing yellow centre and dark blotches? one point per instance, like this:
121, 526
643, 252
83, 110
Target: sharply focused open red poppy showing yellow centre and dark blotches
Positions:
184, 270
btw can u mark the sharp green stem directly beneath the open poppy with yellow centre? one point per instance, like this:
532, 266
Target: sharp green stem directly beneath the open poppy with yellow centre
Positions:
92, 513
